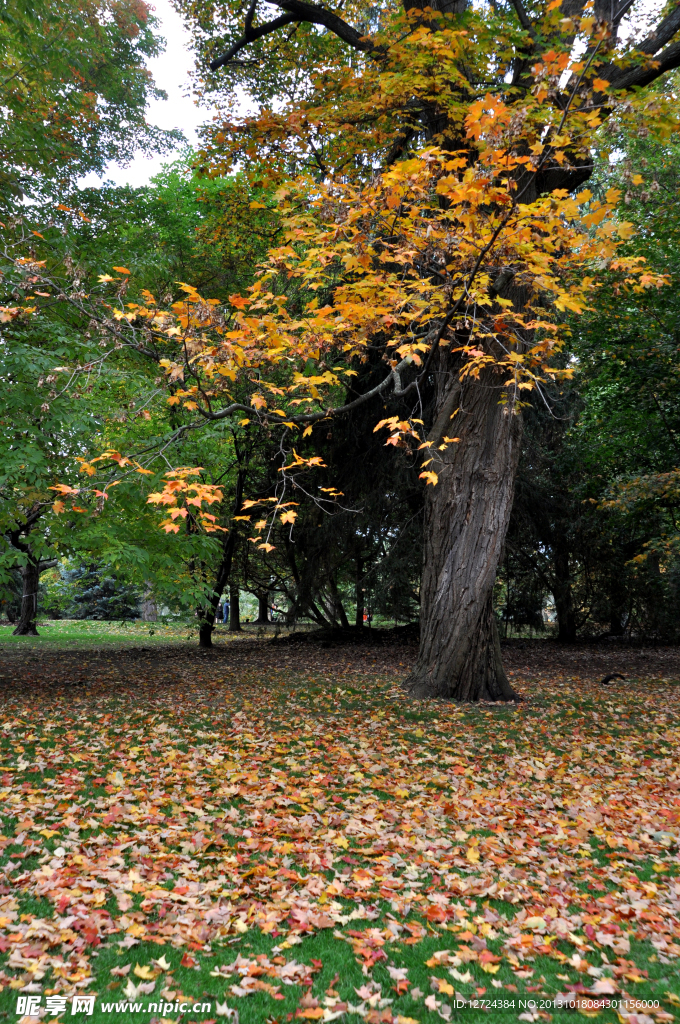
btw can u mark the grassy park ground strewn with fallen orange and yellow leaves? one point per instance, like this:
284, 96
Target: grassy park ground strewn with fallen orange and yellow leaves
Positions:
274, 832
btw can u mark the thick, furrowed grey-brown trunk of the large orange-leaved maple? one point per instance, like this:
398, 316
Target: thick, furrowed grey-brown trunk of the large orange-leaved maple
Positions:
466, 520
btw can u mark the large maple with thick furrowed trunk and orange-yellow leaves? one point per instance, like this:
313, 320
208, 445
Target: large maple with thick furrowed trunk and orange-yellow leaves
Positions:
422, 165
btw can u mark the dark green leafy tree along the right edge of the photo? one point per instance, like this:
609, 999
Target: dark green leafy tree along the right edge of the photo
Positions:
630, 387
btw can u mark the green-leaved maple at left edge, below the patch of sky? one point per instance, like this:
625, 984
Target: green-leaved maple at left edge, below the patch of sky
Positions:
61, 391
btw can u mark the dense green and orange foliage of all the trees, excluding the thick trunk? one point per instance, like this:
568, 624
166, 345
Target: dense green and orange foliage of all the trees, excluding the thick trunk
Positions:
106, 351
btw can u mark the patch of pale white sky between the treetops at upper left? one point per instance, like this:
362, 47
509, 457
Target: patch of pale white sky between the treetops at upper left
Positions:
172, 73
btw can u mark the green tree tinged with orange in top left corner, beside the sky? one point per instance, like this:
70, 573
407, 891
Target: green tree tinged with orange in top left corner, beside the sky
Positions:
74, 90
